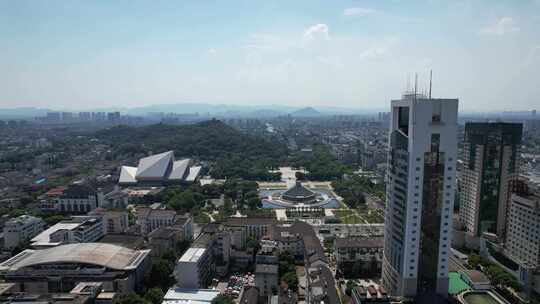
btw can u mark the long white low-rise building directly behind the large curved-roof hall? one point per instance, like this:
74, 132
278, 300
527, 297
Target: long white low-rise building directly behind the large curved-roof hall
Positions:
79, 229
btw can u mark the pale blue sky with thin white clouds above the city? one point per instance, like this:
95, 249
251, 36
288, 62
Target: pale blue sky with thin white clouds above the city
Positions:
354, 54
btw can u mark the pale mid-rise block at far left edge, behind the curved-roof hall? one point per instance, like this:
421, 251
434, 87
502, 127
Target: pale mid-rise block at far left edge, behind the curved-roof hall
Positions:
21, 229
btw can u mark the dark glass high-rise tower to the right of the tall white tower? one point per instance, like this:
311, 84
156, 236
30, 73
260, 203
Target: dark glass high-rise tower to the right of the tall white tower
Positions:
490, 158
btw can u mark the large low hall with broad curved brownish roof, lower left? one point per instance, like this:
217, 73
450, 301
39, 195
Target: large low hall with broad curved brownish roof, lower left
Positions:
61, 268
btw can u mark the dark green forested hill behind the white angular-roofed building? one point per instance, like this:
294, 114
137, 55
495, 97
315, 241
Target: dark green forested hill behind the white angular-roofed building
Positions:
233, 153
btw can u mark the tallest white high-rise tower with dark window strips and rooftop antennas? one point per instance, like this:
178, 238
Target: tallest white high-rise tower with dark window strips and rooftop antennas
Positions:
420, 195
